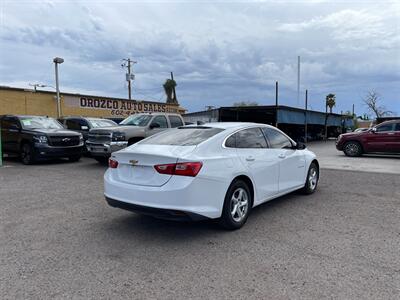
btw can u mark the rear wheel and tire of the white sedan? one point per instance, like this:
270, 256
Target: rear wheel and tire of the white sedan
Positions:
237, 206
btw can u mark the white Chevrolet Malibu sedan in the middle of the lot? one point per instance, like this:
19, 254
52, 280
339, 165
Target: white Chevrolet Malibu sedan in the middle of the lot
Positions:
216, 171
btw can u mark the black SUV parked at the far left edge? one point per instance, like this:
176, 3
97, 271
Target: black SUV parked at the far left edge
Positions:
36, 138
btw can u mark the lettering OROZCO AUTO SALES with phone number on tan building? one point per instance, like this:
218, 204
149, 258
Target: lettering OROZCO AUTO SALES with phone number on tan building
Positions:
122, 107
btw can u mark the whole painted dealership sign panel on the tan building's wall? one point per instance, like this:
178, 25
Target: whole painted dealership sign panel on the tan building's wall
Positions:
117, 107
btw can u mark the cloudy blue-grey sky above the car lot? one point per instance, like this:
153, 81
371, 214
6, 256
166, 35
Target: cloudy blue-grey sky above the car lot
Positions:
220, 52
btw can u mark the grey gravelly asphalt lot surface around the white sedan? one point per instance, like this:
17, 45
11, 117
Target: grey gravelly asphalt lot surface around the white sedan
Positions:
59, 239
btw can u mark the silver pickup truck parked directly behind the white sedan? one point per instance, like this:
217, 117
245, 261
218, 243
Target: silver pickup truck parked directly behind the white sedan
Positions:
104, 141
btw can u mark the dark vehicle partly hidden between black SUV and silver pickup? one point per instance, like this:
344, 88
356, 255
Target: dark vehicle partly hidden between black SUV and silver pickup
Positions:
83, 124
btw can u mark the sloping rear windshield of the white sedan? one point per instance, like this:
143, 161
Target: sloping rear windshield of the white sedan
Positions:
183, 136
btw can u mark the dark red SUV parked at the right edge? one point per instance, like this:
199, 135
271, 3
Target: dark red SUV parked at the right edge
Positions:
384, 137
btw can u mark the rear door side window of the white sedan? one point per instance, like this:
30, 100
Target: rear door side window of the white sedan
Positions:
247, 138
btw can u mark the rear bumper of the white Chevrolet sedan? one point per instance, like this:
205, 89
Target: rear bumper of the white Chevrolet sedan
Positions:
179, 196
